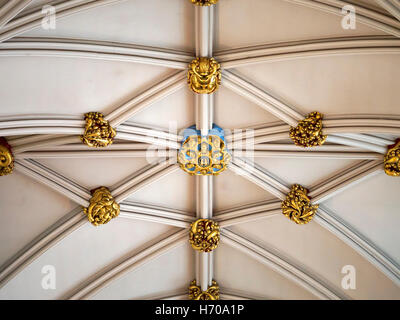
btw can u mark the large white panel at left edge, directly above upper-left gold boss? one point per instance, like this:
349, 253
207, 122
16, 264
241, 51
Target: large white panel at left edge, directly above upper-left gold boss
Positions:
71, 86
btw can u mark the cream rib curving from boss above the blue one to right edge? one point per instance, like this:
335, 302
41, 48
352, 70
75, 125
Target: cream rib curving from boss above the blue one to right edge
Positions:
308, 48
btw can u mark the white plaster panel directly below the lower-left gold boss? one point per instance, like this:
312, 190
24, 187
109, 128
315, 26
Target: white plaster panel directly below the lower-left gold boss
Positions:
81, 255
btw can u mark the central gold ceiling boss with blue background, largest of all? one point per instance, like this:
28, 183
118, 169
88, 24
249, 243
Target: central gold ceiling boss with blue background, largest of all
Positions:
205, 155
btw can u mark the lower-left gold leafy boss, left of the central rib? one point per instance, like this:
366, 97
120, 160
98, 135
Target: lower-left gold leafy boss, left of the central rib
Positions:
102, 207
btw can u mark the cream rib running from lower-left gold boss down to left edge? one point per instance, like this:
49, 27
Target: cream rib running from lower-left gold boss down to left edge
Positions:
41, 244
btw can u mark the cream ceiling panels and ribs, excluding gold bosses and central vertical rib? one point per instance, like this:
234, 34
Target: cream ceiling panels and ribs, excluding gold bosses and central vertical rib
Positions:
128, 59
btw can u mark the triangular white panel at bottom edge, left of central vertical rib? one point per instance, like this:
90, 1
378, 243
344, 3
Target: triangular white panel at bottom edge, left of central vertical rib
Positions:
150, 282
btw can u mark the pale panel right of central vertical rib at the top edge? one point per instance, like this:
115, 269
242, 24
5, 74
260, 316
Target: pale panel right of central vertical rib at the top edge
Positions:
271, 21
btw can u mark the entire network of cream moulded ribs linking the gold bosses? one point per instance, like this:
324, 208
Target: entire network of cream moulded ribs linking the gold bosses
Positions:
352, 137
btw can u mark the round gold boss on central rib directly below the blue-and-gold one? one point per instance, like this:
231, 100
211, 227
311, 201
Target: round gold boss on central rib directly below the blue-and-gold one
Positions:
204, 235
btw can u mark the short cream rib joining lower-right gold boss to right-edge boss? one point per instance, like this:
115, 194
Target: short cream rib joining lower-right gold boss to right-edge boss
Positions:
344, 179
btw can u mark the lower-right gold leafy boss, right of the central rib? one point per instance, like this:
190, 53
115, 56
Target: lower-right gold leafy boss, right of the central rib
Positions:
297, 206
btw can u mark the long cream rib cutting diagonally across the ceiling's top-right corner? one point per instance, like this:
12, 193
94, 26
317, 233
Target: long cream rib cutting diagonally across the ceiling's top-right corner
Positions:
365, 16
